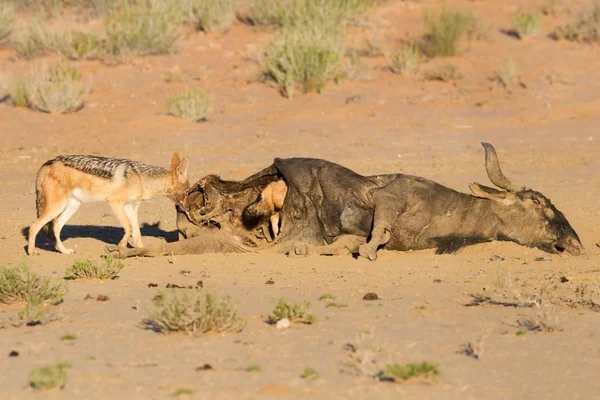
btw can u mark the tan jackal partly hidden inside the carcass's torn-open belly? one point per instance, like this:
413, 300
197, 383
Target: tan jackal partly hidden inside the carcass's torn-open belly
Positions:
267, 206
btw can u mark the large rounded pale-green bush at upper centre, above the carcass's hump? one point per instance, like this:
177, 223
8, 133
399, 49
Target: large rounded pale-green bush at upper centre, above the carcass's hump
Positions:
304, 58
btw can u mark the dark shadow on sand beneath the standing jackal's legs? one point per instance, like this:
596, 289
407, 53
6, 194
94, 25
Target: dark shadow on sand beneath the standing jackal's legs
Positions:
106, 234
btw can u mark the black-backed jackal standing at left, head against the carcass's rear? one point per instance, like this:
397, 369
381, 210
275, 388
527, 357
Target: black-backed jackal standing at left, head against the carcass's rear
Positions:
65, 182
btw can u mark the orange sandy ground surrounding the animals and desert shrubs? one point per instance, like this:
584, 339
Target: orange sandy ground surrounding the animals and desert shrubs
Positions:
546, 133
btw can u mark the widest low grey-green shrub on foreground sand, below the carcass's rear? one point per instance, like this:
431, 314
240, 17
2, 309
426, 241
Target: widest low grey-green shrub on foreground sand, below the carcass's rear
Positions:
194, 314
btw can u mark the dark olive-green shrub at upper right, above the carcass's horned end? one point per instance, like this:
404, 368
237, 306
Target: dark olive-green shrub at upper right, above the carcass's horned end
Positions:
445, 30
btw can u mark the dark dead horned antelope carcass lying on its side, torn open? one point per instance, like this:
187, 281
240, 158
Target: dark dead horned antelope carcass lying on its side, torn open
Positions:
329, 209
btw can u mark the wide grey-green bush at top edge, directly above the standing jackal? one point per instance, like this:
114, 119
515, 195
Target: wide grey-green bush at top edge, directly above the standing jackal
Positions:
145, 27
